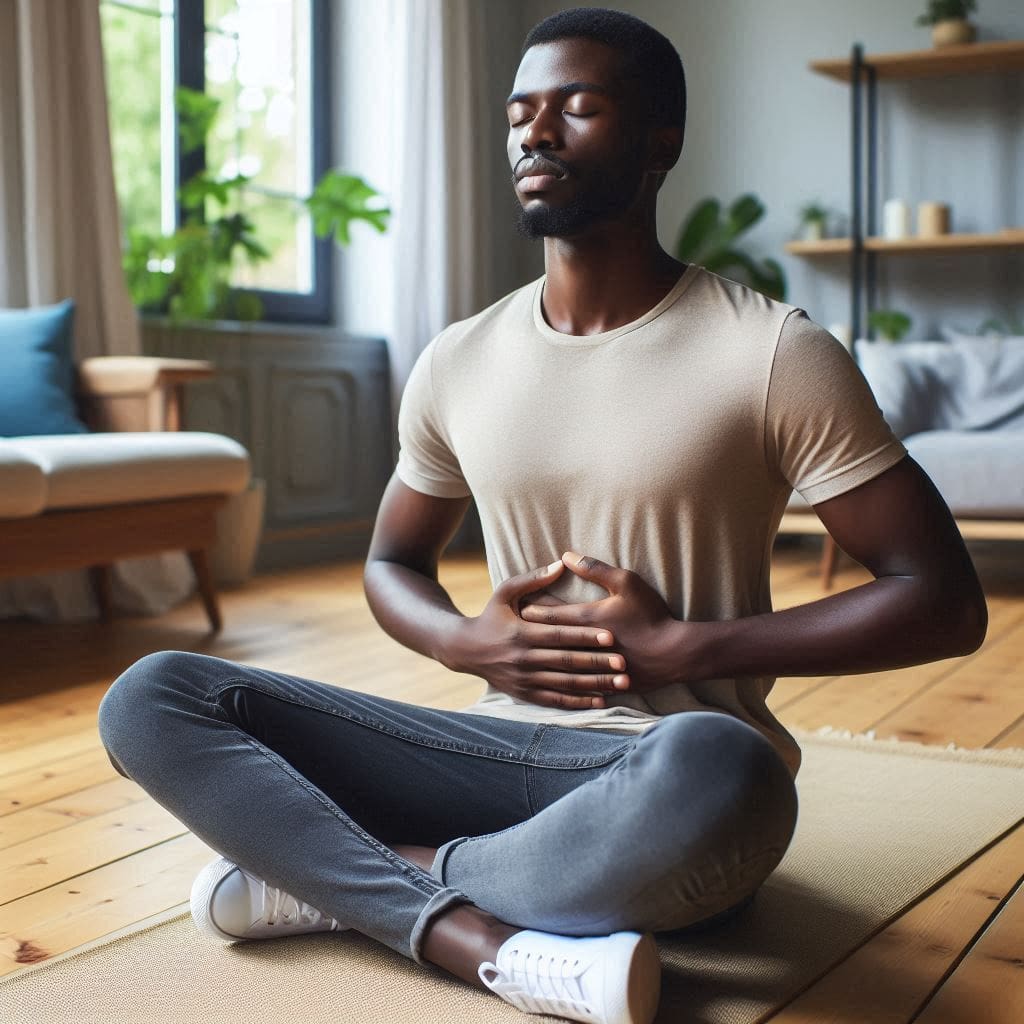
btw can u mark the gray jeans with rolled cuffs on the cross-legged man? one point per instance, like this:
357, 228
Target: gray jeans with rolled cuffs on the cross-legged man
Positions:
570, 831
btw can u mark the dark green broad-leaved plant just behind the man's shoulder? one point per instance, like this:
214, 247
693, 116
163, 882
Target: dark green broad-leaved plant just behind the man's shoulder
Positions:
708, 239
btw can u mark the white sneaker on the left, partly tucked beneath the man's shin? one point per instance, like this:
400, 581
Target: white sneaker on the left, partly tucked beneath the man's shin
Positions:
231, 905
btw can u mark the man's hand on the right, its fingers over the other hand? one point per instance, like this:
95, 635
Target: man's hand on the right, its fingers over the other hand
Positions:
647, 634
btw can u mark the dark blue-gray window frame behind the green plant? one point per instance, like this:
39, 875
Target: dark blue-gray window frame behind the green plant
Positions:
190, 49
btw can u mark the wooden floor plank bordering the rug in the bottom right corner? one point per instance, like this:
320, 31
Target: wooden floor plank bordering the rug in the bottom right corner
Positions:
888, 979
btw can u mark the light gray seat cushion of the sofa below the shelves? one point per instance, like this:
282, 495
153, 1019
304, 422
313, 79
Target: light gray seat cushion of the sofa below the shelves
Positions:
978, 474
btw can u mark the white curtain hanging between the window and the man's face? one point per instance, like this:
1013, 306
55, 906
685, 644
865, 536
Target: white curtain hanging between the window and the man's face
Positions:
442, 263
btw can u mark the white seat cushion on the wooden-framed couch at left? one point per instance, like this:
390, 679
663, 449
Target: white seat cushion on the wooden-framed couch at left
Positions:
89, 471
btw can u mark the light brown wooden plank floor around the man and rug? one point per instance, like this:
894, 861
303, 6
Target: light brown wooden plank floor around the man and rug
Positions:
84, 854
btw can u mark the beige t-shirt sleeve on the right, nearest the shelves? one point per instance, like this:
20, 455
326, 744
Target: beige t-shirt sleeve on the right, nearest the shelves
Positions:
824, 429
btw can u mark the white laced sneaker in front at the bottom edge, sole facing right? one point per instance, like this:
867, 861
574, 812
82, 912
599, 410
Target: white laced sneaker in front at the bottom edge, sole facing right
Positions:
614, 979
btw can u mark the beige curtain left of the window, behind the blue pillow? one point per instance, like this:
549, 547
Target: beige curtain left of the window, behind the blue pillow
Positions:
60, 230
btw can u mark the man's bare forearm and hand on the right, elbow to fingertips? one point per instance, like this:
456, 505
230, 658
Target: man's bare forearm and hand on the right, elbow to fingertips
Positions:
893, 622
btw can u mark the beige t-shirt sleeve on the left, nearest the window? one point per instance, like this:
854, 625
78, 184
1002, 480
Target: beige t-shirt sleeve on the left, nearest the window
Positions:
426, 461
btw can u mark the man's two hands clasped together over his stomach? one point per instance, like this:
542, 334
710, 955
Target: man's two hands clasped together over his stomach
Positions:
571, 656
